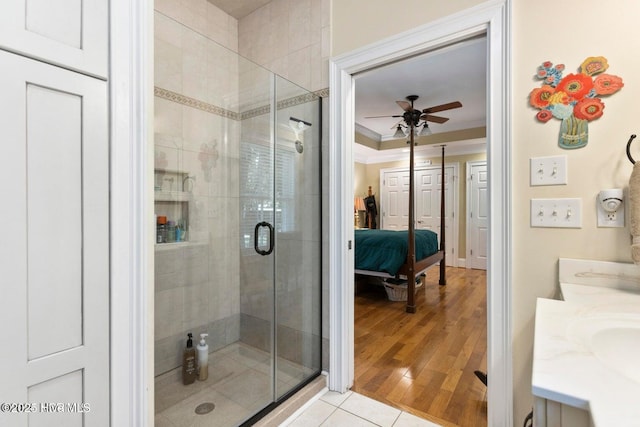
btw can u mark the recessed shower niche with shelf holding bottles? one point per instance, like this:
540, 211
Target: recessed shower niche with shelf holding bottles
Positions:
172, 197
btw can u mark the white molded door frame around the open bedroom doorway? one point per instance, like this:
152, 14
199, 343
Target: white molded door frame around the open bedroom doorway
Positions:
493, 19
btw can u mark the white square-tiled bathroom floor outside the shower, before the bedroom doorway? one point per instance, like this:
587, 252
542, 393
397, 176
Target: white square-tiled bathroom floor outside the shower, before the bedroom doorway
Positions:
353, 410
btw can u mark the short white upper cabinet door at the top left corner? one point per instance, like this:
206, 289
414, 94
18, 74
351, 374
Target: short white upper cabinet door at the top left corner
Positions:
70, 33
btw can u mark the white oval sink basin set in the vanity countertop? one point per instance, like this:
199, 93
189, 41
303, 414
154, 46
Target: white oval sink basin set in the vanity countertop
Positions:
613, 341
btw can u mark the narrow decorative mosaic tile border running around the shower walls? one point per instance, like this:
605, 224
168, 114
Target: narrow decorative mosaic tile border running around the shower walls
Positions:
255, 112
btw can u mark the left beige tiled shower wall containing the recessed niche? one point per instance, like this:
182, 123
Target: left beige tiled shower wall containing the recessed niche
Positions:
196, 135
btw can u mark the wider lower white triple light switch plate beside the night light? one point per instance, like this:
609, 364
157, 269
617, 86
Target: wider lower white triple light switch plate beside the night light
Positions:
557, 213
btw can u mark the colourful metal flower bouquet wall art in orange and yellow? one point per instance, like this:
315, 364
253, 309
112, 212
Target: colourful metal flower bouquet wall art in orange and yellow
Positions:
575, 99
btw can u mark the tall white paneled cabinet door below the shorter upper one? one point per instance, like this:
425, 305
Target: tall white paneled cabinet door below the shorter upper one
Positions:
54, 255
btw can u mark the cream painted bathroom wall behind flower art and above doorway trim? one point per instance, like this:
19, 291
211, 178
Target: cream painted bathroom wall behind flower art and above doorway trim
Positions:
581, 28
